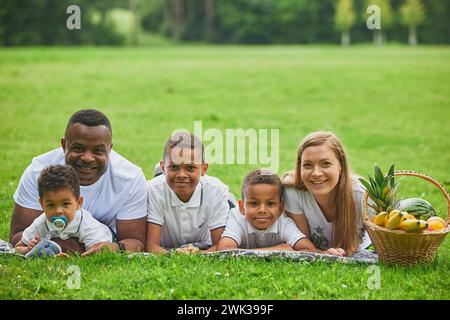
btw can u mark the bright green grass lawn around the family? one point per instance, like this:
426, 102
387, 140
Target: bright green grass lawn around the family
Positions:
389, 105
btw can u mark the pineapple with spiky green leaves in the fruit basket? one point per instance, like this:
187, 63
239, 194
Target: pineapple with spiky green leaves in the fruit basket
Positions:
382, 190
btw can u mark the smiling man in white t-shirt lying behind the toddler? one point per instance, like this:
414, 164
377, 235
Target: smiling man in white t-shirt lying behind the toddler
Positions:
114, 189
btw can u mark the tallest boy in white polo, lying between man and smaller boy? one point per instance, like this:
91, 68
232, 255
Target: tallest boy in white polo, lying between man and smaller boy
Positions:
186, 208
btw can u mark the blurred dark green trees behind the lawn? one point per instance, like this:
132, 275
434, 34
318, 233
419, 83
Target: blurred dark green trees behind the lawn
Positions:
42, 22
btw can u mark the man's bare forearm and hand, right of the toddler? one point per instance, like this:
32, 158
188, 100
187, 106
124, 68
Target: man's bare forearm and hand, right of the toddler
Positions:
131, 233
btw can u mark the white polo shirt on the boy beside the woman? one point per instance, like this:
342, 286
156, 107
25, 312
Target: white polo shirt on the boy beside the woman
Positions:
284, 230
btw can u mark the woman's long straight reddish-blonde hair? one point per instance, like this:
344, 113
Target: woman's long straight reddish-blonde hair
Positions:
346, 233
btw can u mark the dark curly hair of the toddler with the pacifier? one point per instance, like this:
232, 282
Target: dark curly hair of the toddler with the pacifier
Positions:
57, 177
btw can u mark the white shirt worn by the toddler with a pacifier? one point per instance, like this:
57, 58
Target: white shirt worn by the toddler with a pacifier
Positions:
84, 227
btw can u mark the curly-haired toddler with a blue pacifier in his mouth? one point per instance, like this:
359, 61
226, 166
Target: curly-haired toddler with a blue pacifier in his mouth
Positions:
63, 218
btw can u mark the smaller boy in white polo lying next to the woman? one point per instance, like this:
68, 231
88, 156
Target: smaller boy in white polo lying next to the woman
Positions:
261, 223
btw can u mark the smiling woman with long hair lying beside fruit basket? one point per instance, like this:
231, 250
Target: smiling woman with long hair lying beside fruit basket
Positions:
323, 197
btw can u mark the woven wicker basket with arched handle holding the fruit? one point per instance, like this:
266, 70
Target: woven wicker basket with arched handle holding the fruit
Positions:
403, 248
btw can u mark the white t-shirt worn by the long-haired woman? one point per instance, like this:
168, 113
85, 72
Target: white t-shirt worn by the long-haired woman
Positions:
303, 202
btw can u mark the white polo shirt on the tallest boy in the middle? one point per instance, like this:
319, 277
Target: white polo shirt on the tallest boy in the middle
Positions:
187, 222
